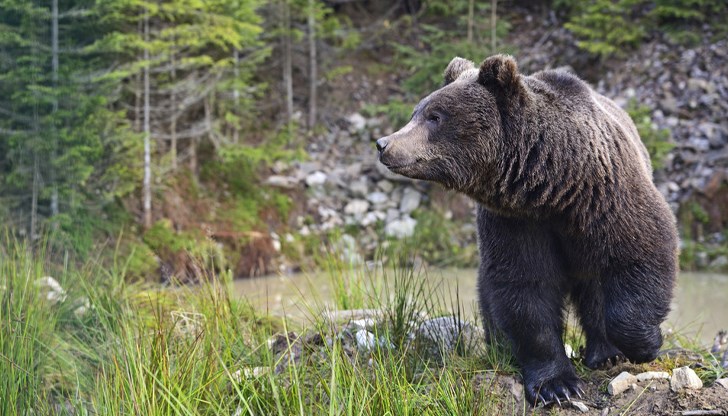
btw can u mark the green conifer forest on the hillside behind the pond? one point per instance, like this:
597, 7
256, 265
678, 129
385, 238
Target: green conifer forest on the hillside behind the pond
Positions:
152, 128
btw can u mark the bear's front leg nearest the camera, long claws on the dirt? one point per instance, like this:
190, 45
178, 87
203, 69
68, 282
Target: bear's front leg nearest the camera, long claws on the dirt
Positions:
522, 285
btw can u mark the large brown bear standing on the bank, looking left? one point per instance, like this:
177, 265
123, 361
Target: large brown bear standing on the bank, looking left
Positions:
566, 206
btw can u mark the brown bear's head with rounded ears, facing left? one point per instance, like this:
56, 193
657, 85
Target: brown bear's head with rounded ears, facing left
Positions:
456, 134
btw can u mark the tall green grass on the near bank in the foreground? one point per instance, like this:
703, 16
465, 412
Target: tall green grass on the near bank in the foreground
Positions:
99, 344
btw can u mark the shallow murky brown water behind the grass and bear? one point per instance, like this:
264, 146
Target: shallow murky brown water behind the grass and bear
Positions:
699, 308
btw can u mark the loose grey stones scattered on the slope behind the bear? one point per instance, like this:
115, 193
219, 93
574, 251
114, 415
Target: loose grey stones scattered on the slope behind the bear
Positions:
685, 88
